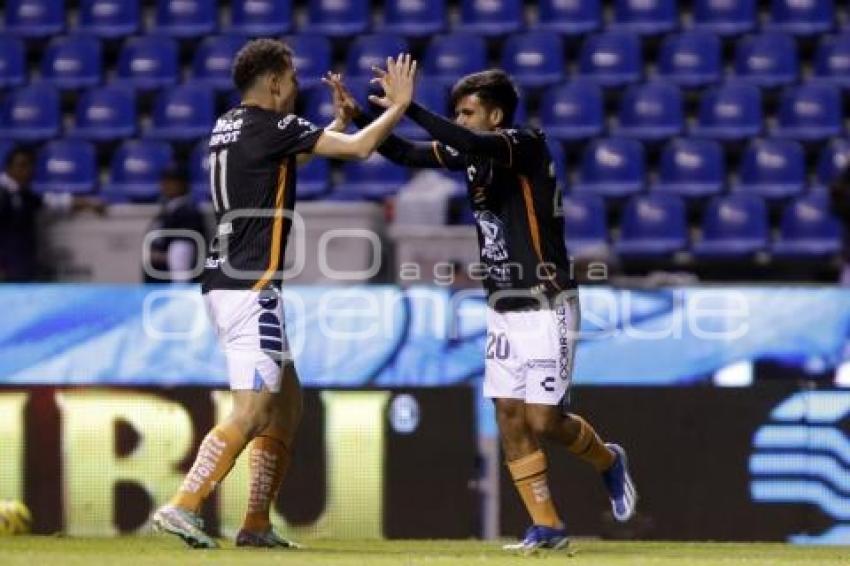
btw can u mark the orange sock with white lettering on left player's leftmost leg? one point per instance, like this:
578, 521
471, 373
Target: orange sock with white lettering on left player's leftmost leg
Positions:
215, 458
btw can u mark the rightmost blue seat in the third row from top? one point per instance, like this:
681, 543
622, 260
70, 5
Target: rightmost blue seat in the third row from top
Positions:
810, 112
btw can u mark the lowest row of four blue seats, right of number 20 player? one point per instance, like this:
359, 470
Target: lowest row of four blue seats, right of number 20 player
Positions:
734, 226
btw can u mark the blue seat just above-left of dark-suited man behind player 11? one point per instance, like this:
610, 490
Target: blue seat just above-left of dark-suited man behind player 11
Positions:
135, 169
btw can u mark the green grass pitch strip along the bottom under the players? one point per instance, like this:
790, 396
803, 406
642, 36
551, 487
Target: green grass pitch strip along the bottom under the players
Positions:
164, 551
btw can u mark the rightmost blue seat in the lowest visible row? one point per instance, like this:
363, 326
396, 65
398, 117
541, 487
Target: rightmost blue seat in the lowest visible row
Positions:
808, 229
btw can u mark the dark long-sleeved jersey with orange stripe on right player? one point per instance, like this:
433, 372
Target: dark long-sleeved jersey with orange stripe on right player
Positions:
511, 185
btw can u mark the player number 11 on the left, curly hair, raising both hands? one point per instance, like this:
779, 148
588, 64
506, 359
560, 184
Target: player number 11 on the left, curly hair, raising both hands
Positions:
253, 152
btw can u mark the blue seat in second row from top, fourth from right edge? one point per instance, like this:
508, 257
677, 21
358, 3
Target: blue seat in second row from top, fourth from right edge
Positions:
612, 59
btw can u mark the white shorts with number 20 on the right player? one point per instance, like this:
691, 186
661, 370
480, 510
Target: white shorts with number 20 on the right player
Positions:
530, 353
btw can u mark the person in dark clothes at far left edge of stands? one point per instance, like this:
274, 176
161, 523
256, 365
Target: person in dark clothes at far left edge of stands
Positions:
19, 217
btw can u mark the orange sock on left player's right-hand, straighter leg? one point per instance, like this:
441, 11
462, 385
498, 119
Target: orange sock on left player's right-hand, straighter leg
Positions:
270, 459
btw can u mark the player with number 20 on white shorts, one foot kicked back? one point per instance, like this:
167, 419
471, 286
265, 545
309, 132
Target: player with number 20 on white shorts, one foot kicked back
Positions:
533, 308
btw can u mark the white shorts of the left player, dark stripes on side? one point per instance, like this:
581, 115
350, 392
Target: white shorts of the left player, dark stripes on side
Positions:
250, 328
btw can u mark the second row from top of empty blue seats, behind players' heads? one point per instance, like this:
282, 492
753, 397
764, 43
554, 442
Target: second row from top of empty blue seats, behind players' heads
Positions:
535, 59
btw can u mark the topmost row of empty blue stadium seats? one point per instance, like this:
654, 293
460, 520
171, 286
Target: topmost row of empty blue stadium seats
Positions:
193, 18
